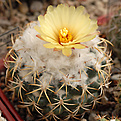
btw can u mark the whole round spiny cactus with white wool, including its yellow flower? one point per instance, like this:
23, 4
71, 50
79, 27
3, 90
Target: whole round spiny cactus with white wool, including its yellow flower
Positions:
59, 85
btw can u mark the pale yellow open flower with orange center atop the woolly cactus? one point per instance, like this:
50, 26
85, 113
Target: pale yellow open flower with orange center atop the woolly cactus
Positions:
65, 28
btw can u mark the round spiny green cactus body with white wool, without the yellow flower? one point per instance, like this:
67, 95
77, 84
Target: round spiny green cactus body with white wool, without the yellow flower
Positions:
53, 84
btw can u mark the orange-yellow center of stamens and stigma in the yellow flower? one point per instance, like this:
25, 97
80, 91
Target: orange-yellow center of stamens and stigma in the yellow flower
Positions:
65, 36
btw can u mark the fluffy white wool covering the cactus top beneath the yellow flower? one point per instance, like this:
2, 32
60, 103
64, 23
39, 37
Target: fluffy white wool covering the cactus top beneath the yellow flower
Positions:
33, 54
